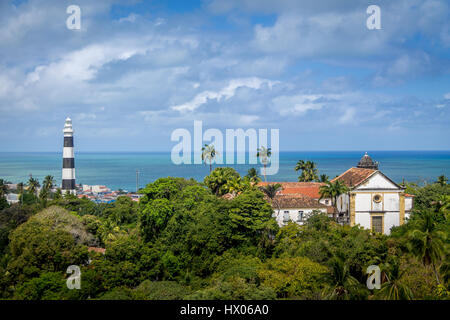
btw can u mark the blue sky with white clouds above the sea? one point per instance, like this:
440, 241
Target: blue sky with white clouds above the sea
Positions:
138, 70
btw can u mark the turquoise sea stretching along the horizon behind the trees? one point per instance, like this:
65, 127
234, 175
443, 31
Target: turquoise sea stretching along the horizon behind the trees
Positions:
118, 170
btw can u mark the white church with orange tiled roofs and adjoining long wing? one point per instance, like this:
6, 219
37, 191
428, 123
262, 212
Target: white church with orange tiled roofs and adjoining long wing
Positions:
374, 201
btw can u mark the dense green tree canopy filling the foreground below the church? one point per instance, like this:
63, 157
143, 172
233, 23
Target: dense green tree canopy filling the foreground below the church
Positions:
185, 240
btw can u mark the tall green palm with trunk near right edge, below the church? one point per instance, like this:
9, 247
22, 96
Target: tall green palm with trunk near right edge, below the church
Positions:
426, 242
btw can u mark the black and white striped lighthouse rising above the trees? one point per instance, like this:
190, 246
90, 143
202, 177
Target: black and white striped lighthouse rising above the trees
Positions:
68, 174
